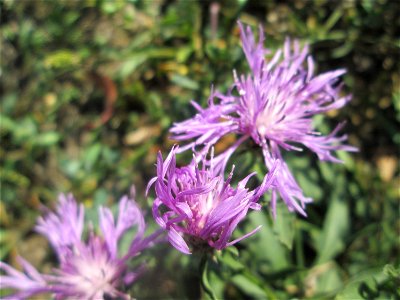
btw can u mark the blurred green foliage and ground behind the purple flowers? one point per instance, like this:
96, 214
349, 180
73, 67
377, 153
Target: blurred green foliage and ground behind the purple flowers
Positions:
90, 89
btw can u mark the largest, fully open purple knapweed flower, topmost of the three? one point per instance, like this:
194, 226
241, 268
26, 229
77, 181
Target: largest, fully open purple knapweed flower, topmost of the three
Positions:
273, 106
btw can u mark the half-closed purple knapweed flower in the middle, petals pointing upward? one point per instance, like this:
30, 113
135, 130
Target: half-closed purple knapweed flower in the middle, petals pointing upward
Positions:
197, 207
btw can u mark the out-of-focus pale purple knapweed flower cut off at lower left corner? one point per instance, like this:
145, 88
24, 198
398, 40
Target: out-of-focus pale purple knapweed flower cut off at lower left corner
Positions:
91, 269
